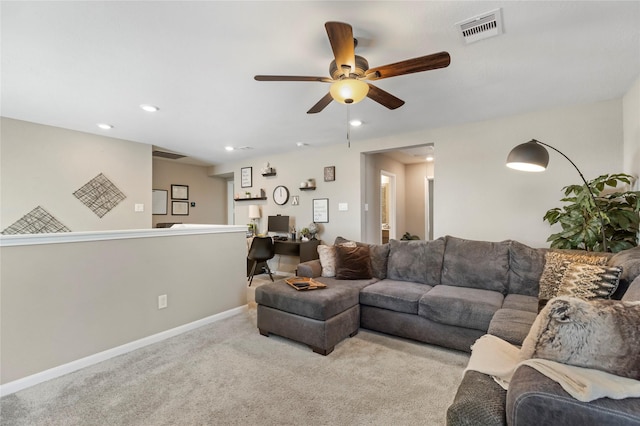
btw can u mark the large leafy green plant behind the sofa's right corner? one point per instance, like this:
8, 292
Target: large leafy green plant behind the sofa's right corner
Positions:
581, 222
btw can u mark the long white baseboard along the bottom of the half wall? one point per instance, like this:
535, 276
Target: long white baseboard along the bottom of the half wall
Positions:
52, 373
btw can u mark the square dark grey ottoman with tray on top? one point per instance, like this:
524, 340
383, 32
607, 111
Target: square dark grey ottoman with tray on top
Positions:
318, 318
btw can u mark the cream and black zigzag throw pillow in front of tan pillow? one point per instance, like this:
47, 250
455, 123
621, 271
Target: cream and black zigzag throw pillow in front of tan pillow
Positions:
589, 281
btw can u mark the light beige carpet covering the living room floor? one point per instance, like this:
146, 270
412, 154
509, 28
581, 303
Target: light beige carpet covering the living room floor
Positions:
226, 373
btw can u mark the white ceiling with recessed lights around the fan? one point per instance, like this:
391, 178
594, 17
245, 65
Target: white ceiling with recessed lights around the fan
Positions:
75, 64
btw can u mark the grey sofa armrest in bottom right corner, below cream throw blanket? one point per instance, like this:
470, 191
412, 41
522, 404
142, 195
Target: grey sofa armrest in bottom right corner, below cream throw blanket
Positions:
533, 399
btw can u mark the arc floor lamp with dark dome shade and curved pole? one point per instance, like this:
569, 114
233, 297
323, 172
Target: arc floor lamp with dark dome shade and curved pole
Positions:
533, 157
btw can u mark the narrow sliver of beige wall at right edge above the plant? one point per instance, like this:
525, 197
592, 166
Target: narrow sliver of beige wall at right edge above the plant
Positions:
631, 111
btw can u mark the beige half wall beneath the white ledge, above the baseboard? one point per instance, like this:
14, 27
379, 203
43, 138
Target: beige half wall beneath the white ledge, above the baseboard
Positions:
87, 297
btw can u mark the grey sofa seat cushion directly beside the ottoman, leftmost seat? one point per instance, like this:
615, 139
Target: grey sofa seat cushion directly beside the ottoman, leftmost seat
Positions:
397, 296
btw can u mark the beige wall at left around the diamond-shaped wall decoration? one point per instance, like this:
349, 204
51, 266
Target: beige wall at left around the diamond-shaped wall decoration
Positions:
43, 165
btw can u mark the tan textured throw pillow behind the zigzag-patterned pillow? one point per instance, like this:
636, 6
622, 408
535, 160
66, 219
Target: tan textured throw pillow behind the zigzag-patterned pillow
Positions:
555, 266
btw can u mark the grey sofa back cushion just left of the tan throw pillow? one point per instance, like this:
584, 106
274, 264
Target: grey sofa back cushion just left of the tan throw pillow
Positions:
525, 268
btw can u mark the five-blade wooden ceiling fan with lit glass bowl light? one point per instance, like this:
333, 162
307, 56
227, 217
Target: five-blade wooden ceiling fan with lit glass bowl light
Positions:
350, 72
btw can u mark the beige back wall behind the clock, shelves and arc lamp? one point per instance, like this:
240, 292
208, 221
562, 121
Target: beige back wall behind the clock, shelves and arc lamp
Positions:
476, 195
